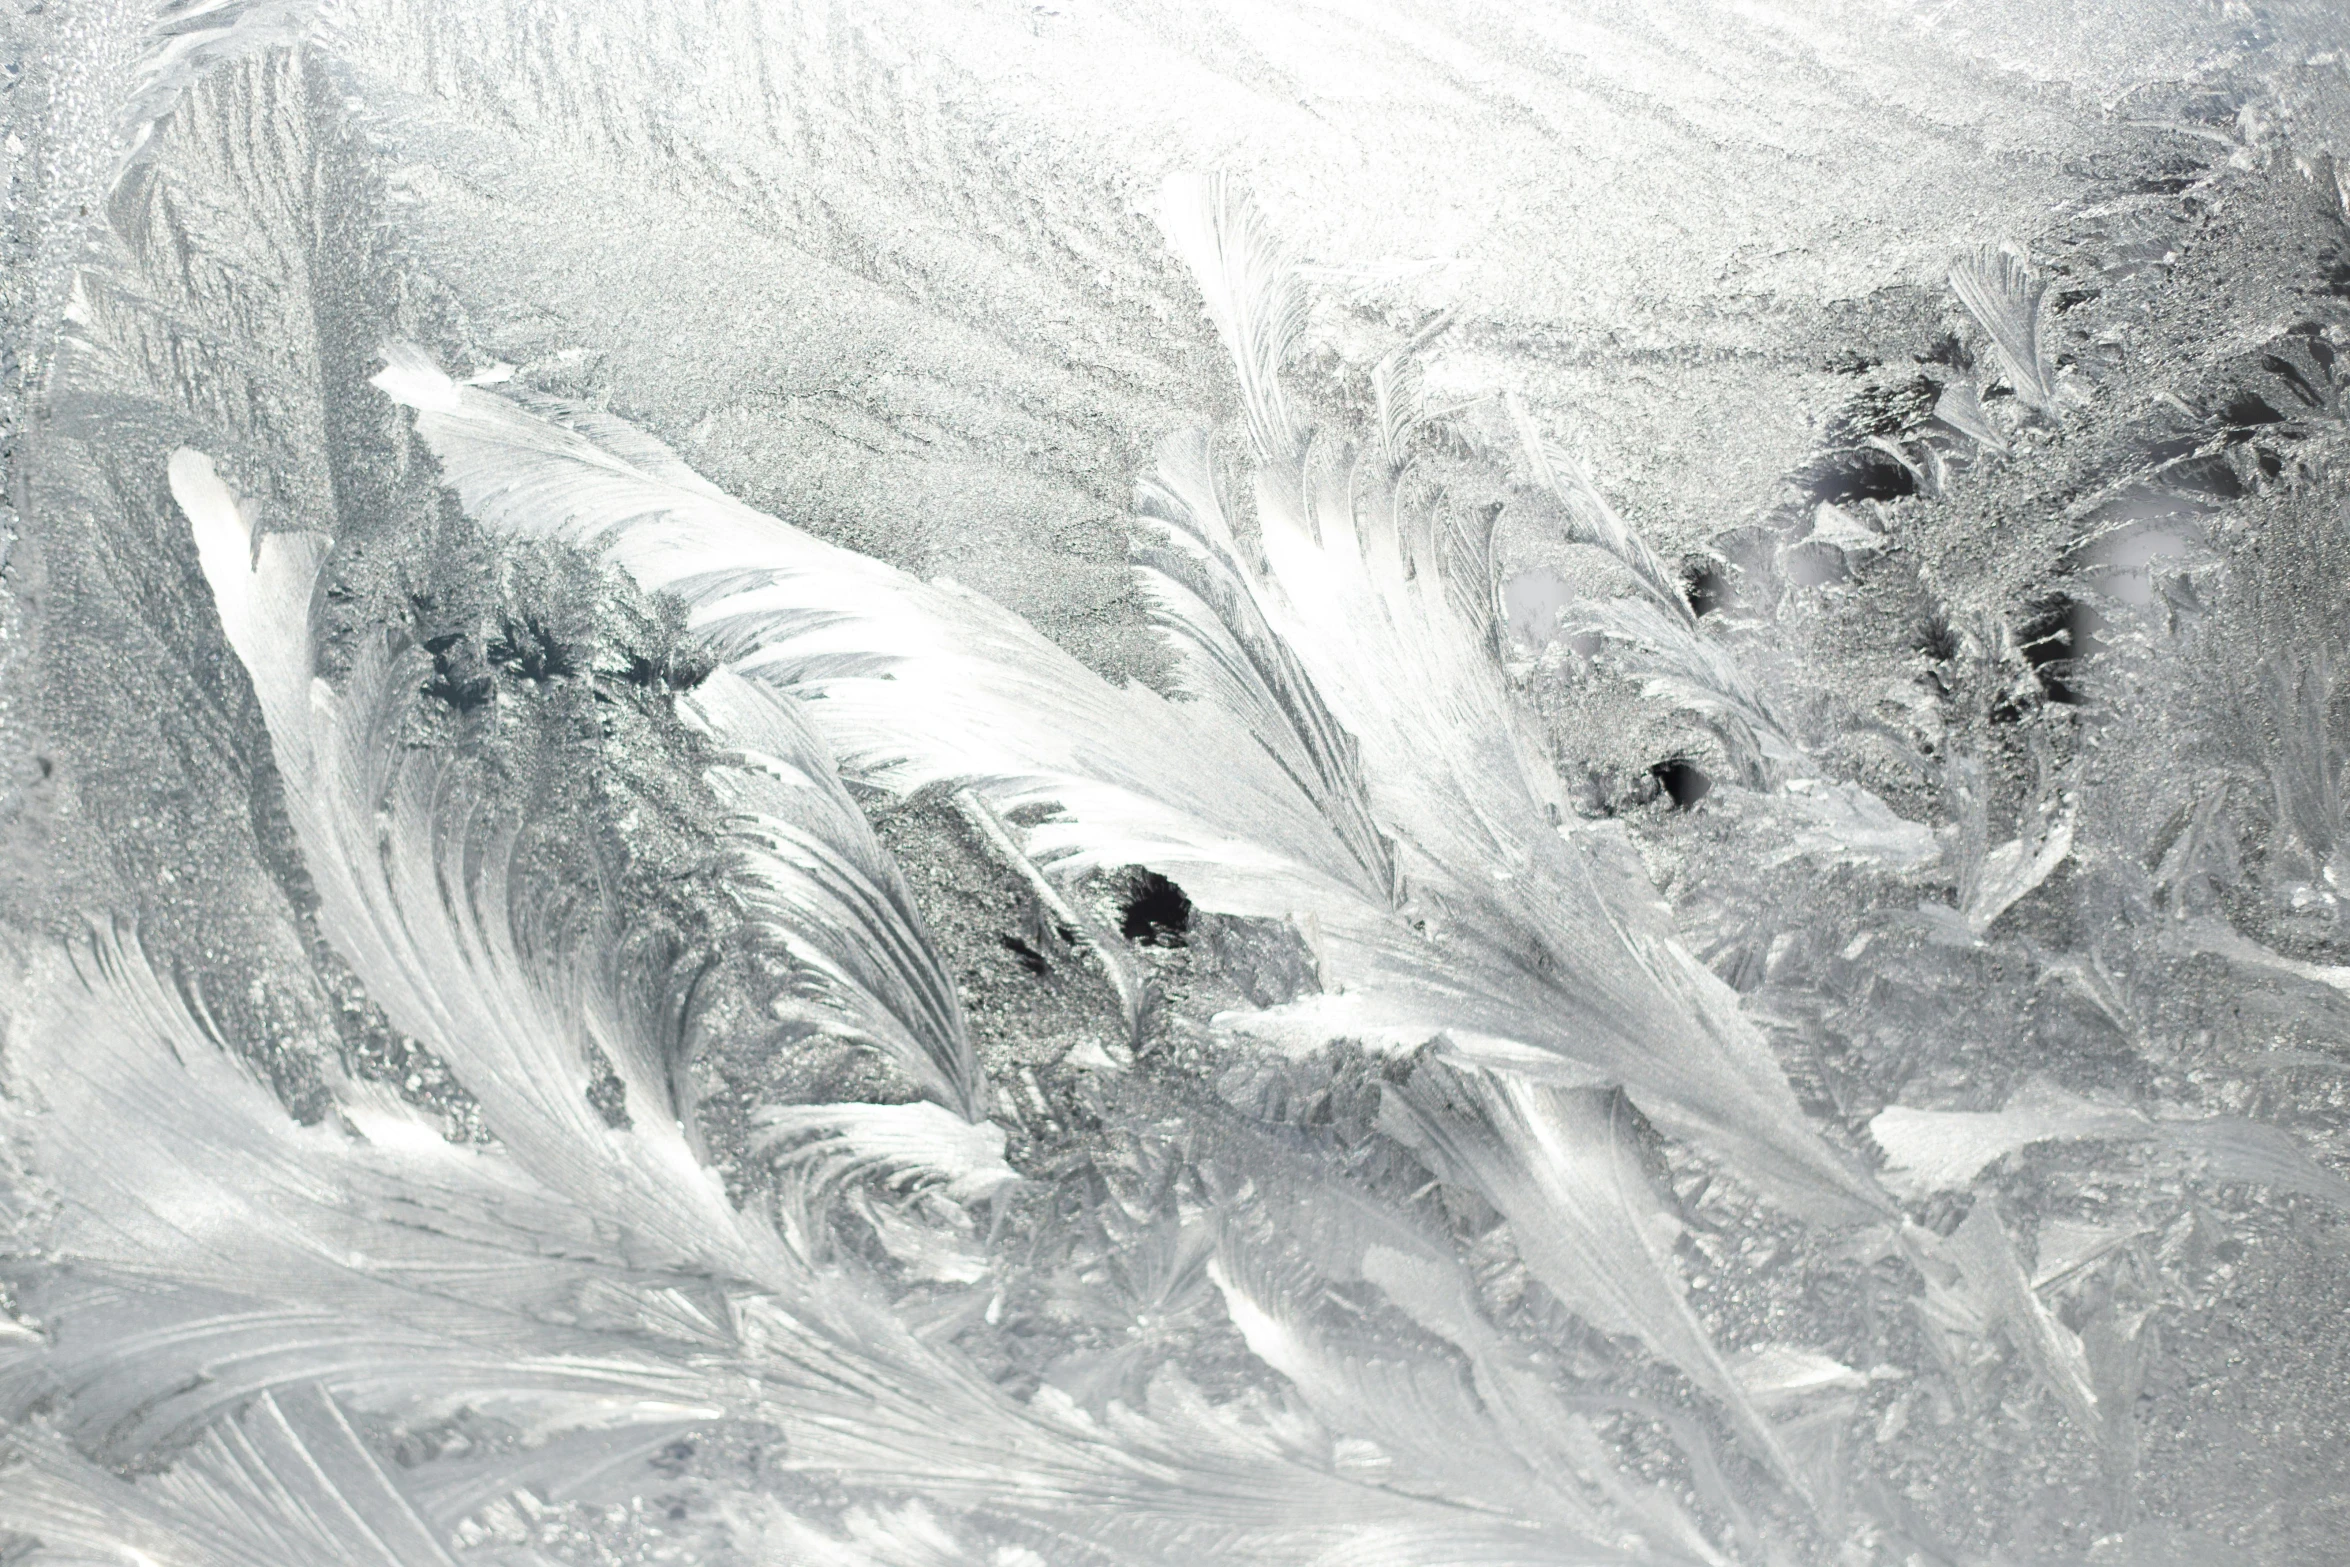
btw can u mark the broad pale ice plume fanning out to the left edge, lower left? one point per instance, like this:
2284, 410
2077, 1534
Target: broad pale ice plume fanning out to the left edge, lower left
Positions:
210, 1249
